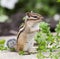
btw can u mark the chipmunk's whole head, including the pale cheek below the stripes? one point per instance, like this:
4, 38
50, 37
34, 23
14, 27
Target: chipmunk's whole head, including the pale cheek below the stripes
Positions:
33, 18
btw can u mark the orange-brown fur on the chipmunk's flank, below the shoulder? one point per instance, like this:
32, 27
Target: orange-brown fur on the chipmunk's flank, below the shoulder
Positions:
22, 39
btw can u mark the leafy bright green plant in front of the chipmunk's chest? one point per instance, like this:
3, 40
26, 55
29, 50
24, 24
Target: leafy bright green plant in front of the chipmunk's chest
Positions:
47, 42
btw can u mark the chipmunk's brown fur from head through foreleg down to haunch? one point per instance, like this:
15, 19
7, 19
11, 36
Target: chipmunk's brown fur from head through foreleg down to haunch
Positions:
22, 39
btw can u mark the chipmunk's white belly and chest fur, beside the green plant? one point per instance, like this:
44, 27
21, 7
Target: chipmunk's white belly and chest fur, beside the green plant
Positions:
30, 39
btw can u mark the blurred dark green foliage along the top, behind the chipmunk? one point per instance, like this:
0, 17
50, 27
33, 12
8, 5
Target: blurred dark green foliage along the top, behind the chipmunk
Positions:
44, 7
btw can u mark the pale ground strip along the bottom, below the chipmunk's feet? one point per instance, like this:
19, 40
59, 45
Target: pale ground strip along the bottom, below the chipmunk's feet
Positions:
14, 55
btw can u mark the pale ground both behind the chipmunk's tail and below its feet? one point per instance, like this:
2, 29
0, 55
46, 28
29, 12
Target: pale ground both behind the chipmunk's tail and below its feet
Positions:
14, 55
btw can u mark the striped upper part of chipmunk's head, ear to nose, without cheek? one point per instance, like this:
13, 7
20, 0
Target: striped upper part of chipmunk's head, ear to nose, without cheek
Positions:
34, 16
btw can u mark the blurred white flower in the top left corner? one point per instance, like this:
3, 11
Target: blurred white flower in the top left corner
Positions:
10, 4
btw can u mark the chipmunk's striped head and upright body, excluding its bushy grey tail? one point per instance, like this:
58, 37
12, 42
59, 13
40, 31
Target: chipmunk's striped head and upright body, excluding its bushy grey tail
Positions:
25, 36
